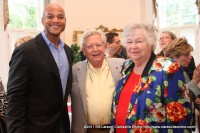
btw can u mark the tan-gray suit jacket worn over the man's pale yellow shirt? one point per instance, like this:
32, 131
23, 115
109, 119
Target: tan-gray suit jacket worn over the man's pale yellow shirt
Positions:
78, 92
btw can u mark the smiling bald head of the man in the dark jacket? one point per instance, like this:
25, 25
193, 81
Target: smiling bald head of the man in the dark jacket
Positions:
53, 20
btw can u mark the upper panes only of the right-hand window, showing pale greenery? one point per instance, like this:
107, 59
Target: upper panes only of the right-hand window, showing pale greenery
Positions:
177, 12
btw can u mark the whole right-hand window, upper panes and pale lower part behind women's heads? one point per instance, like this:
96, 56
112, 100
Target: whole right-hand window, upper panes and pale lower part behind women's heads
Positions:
180, 17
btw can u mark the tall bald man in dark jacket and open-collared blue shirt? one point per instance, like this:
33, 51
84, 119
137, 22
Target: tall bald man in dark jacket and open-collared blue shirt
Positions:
40, 79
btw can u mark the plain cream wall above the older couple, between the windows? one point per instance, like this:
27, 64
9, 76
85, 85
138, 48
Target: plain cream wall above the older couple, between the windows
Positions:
86, 14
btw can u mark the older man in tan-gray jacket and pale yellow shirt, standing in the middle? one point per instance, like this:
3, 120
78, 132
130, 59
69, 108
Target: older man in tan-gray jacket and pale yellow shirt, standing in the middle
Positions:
94, 81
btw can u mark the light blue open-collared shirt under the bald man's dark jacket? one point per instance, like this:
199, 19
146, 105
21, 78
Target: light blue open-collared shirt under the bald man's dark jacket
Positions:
61, 60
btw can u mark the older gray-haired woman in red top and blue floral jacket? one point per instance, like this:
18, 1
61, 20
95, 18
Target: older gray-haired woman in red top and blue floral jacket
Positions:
151, 96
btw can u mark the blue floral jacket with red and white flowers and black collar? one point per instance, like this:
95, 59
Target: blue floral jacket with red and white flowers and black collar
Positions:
161, 104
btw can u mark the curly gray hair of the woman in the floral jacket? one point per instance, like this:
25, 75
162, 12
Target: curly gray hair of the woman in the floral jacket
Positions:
150, 32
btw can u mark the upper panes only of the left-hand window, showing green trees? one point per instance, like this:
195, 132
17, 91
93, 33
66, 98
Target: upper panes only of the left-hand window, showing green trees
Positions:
25, 14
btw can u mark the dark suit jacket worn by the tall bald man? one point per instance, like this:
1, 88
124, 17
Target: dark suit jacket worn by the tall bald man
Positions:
35, 96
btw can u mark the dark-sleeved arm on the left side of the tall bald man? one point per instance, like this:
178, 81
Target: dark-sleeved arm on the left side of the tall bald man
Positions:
18, 83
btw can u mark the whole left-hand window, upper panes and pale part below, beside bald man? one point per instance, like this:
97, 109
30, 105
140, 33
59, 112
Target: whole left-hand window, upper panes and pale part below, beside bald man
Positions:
25, 19
